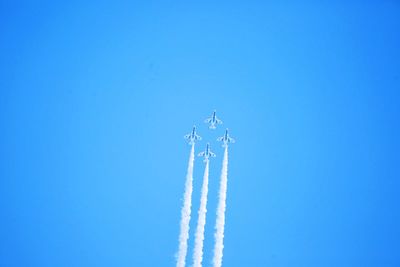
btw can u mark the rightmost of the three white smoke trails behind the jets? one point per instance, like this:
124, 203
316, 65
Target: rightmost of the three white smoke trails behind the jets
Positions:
220, 224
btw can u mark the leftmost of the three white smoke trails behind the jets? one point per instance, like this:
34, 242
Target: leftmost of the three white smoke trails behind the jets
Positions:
185, 213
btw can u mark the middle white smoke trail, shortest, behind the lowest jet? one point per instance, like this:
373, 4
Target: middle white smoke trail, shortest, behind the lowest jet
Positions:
199, 237
